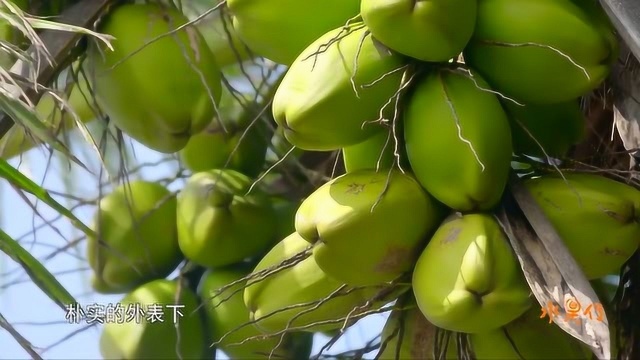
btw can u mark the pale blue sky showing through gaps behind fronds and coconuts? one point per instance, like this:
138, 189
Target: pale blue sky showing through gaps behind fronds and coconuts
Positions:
33, 314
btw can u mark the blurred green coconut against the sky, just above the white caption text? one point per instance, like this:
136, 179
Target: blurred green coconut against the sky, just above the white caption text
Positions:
136, 237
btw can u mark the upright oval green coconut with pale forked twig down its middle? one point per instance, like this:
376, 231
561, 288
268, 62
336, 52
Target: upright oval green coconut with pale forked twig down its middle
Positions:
458, 139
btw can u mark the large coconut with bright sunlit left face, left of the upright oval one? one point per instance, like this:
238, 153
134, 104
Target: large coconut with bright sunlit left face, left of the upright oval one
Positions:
334, 92
